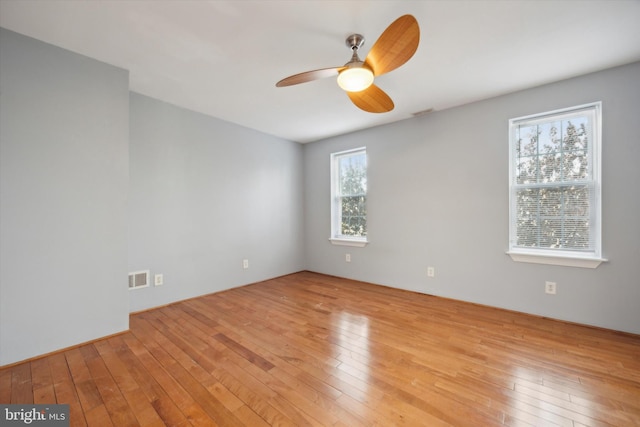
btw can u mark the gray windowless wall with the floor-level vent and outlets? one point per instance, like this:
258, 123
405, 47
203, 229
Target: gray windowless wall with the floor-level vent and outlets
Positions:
204, 195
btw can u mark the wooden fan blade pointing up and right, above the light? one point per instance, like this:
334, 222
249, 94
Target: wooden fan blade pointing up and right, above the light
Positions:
395, 46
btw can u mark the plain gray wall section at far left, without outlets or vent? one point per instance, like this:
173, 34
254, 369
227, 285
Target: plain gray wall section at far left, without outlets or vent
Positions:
63, 188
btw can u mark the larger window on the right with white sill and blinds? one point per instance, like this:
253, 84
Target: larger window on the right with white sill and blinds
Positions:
555, 187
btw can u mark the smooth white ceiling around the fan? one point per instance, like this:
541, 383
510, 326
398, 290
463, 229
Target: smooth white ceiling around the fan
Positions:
223, 58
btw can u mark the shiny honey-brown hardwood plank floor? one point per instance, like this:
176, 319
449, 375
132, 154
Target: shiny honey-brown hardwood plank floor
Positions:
313, 350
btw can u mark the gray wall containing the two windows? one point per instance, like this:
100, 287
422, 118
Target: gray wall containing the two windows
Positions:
438, 196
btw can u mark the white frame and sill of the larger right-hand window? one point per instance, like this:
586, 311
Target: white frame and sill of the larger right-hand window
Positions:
586, 259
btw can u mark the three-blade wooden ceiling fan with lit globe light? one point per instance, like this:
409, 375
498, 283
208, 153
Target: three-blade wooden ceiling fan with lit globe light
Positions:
394, 47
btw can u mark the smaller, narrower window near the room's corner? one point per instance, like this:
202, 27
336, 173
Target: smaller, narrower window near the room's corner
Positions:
349, 197
